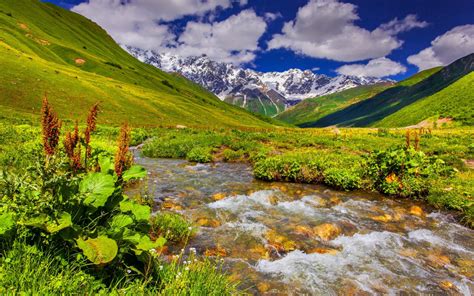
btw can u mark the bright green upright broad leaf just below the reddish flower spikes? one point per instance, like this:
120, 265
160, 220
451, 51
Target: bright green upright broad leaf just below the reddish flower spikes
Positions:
97, 188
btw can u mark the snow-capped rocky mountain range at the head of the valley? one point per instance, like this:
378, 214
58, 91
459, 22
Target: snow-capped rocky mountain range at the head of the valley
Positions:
267, 93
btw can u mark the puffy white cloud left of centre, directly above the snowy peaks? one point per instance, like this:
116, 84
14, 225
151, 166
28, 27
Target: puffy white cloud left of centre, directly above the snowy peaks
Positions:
233, 40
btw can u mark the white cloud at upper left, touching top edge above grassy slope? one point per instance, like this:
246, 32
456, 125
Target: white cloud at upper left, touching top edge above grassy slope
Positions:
135, 22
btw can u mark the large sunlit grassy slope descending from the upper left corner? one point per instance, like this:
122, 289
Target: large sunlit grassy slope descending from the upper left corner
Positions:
39, 45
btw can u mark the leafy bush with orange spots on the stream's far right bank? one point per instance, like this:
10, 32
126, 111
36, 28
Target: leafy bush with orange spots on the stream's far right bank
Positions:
404, 172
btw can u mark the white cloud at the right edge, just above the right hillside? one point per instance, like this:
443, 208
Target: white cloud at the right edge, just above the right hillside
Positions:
445, 49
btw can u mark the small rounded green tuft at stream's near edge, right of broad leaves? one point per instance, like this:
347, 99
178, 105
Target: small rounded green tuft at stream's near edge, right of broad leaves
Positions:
171, 226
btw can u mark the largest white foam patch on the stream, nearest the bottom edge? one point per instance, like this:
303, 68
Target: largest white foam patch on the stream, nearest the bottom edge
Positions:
369, 259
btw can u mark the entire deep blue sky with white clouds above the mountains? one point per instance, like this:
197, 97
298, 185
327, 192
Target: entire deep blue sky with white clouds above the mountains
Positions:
381, 38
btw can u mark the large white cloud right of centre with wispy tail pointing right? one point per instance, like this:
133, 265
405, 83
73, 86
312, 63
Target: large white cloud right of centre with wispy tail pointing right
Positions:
327, 29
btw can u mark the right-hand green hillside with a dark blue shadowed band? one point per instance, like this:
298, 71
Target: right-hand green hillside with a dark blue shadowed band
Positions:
446, 92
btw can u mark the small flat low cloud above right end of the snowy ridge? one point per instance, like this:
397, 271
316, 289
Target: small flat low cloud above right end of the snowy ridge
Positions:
381, 67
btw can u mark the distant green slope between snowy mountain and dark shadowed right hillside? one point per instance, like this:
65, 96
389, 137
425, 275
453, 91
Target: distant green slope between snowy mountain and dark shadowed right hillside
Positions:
313, 109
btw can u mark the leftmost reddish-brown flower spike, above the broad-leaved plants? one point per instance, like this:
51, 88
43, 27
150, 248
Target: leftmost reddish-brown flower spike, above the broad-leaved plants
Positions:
51, 127
